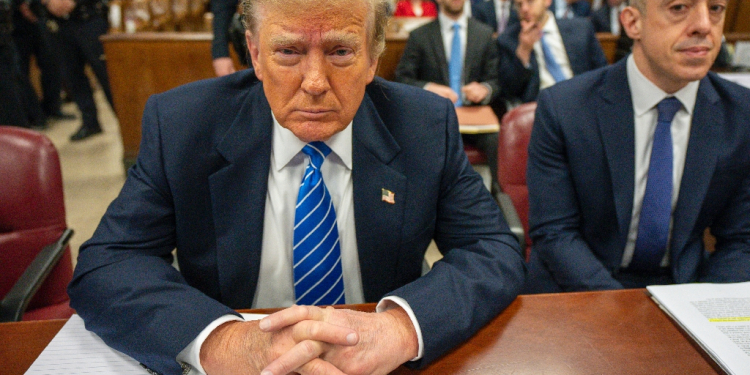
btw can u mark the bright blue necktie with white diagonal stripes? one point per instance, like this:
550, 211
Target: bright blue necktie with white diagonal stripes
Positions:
318, 279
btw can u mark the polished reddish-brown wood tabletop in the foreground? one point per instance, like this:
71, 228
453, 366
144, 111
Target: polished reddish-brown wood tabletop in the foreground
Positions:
613, 332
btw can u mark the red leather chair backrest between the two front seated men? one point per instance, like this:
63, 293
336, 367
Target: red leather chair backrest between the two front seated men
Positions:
512, 154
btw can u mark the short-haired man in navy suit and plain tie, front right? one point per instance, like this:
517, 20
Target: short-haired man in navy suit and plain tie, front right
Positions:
629, 165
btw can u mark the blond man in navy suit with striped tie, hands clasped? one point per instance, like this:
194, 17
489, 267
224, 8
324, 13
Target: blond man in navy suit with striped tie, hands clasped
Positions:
302, 180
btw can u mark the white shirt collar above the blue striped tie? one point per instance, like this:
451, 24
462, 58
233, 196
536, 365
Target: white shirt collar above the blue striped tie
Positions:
286, 145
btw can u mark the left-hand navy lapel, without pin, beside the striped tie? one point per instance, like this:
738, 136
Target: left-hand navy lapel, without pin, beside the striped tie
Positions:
238, 192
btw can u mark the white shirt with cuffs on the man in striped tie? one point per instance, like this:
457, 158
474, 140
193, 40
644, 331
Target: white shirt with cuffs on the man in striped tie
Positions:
275, 286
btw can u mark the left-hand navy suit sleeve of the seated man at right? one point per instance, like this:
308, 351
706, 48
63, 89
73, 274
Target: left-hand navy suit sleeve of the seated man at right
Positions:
554, 215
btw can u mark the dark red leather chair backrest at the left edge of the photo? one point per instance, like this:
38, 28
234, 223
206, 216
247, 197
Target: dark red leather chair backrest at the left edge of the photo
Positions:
32, 215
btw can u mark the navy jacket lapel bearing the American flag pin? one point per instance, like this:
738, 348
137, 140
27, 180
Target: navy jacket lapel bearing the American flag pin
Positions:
378, 222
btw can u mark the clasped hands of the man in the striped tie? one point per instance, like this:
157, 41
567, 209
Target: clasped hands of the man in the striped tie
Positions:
312, 340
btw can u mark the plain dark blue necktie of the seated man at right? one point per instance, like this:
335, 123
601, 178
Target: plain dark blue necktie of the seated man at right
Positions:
656, 211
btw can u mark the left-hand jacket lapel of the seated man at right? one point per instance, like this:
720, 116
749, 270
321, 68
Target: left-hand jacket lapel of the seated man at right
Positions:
616, 124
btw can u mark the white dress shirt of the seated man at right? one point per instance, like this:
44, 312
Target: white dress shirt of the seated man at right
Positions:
646, 96
